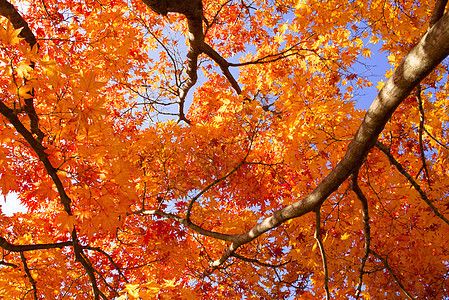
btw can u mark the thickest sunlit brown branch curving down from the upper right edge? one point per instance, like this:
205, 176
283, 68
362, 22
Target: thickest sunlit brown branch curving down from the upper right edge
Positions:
427, 54
